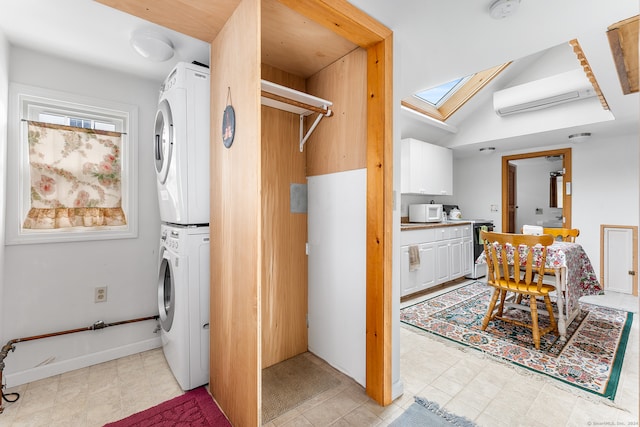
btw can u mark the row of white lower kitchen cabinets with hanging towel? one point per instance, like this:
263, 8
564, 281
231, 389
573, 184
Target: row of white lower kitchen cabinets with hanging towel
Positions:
445, 254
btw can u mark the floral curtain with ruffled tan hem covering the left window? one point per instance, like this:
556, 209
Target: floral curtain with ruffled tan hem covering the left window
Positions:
75, 177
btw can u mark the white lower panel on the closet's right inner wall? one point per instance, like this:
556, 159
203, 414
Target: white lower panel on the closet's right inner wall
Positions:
337, 222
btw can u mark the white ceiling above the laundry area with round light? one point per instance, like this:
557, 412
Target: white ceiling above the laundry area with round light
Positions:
90, 32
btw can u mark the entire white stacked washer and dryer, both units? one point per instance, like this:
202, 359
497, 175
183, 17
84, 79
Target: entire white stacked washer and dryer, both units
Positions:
181, 149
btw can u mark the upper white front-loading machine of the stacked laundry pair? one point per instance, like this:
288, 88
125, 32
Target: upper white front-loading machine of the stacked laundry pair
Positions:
181, 146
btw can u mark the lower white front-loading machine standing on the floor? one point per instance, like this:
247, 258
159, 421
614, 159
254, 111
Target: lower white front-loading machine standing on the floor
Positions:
183, 302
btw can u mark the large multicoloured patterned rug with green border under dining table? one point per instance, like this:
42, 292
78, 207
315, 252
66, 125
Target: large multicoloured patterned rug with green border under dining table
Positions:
590, 359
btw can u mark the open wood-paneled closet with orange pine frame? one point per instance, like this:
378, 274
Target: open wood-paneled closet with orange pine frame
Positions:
261, 291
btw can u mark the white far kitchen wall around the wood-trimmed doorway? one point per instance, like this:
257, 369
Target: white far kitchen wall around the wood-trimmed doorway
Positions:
605, 187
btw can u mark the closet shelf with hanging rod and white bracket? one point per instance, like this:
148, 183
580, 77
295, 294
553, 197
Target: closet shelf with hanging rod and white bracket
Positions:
293, 101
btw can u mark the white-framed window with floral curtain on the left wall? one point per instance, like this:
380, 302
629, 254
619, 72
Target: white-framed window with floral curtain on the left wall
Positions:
71, 159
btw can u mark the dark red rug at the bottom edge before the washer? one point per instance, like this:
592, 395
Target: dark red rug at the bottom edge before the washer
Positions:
195, 408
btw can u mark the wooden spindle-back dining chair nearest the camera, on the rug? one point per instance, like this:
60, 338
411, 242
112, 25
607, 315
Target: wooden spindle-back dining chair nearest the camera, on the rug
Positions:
497, 247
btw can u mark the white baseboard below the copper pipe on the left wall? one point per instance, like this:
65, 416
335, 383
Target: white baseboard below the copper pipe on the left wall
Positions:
40, 372
